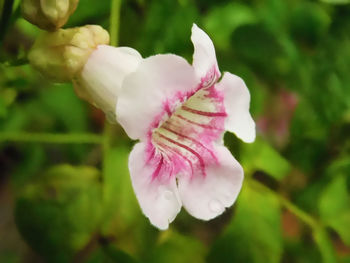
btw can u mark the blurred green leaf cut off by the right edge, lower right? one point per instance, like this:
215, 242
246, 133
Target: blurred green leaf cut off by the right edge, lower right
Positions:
334, 207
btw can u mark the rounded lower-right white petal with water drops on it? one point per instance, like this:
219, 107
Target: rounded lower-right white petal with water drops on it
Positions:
206, 197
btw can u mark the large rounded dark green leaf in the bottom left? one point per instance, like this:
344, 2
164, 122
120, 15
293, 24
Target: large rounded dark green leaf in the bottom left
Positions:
60, 212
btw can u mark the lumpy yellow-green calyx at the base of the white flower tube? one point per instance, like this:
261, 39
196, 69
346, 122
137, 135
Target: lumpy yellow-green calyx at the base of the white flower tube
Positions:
61, 55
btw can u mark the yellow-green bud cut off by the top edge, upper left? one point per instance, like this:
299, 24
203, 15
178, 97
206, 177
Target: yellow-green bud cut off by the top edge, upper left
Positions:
48, 14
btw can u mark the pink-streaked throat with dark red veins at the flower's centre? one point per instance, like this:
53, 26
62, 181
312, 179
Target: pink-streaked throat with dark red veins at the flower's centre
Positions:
182, 136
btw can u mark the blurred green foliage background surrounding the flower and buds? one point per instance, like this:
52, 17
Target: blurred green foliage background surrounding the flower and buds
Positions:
294, 205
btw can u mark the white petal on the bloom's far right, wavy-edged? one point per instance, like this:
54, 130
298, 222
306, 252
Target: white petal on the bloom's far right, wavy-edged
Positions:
237, 100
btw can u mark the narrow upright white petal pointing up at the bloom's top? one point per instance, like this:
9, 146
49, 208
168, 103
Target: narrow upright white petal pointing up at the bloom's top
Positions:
204, 58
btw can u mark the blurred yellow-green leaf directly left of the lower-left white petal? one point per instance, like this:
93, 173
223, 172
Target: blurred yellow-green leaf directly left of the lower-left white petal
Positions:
123, 218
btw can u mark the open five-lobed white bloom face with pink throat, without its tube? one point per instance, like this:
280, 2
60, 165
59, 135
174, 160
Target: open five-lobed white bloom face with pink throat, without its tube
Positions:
179, 112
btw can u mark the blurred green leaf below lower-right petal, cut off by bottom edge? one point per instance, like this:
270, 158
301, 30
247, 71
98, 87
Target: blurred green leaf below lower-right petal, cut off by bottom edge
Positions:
254, 234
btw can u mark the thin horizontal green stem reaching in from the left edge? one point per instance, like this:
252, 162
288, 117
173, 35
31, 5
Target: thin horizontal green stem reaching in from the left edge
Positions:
51, 138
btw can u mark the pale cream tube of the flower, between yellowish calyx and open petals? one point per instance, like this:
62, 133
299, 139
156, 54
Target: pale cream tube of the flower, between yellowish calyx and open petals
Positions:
104, 73
